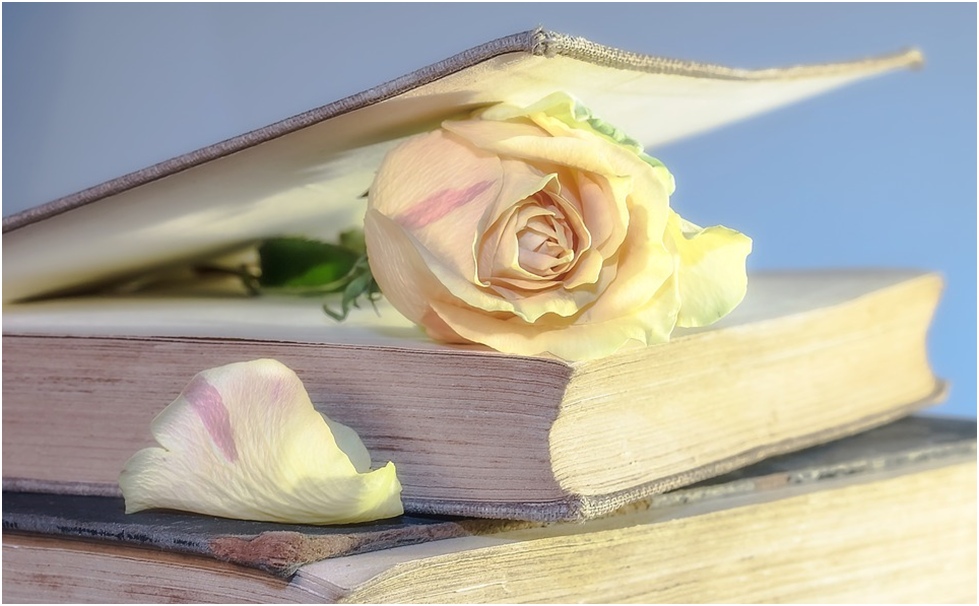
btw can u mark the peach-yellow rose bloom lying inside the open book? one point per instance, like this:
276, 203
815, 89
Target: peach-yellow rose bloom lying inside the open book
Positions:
543, 230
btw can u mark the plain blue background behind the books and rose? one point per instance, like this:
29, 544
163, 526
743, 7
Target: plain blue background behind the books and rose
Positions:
880, 173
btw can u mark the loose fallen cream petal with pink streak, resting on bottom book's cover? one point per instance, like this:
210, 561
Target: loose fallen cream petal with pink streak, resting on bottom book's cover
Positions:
244, 441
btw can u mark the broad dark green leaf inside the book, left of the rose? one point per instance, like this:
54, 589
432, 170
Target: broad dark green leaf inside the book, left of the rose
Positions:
300, 264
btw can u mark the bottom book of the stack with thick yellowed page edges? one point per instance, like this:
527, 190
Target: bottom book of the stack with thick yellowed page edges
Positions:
888, 516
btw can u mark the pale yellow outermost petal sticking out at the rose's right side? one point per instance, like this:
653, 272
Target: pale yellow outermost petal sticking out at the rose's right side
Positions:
711, 270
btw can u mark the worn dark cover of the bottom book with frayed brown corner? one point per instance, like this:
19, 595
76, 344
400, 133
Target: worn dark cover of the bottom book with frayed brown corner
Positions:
903, 447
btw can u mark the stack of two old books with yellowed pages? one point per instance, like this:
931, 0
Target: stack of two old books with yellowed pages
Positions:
764, 458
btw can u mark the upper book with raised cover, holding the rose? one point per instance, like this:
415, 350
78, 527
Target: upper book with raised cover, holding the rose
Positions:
806, 358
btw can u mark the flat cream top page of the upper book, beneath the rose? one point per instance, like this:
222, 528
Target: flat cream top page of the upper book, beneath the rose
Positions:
301, 319
